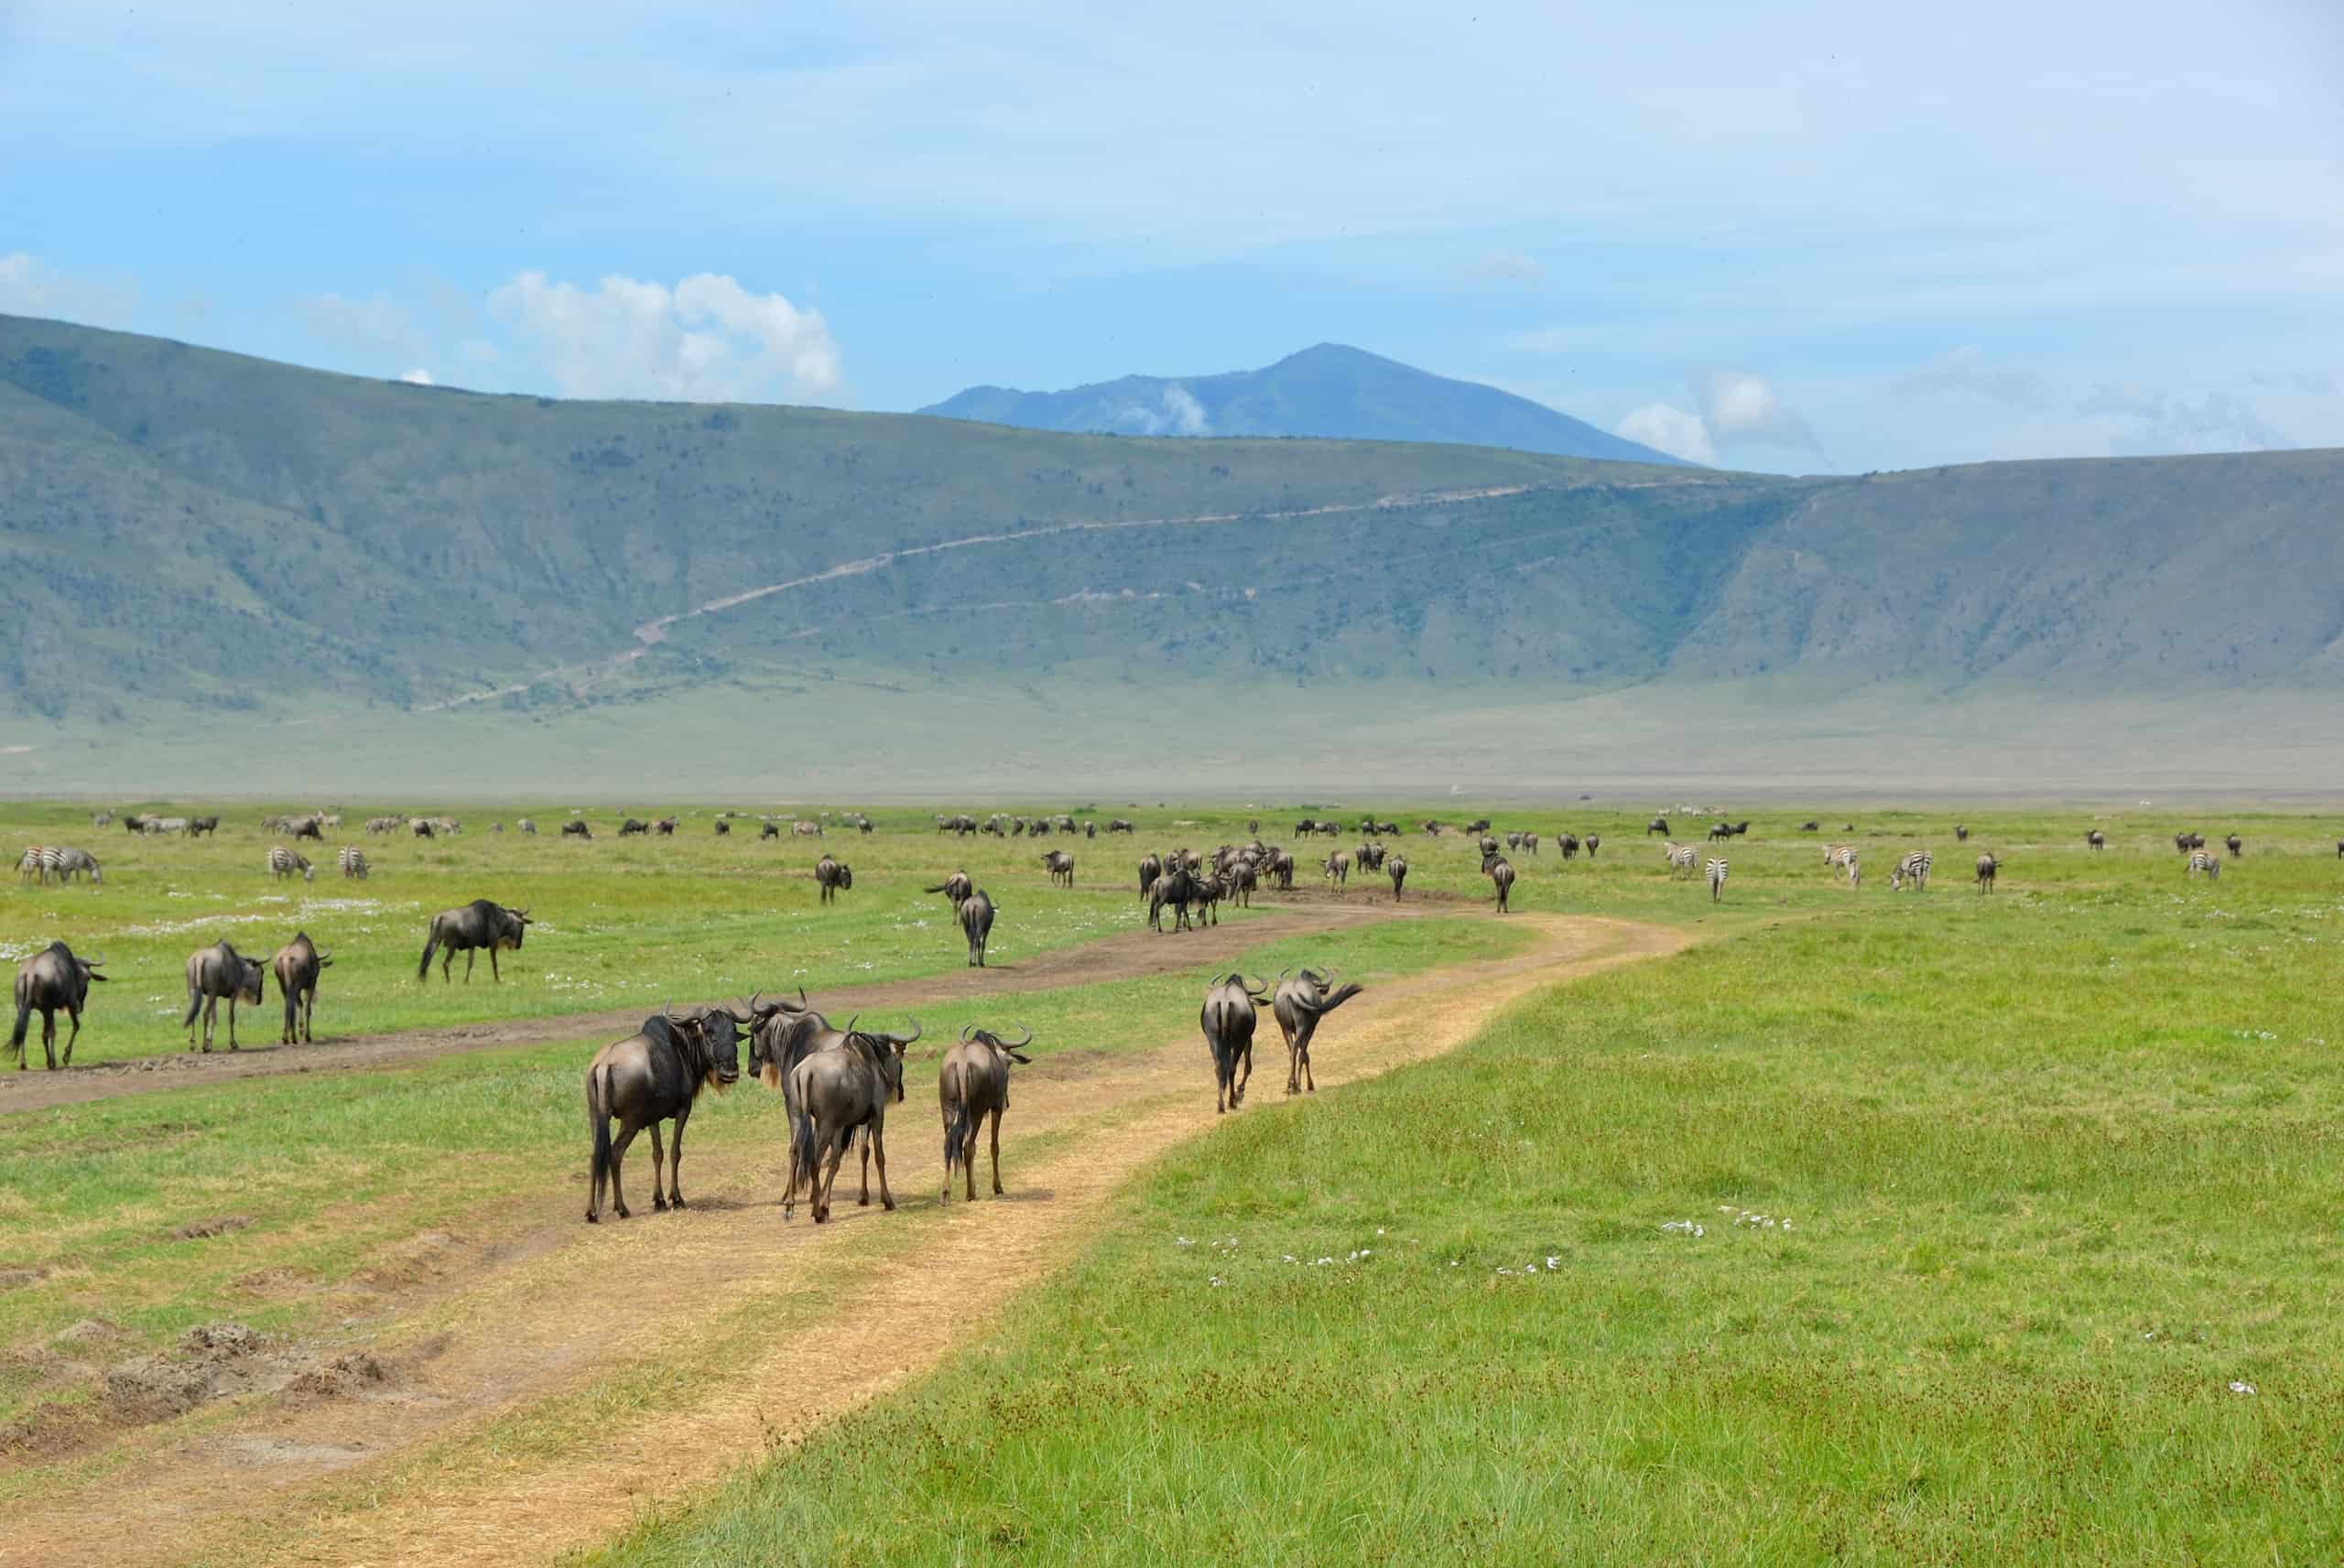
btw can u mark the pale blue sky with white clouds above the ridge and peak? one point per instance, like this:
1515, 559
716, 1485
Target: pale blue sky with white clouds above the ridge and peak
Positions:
1792, 236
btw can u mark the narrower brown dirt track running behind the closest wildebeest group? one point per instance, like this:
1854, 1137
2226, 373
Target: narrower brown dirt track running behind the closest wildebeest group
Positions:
1119, 957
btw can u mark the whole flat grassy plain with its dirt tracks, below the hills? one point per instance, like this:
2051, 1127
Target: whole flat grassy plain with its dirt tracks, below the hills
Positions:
1811, 1222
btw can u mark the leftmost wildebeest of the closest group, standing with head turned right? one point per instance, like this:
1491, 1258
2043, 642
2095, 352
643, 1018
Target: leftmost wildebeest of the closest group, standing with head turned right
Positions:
653, 1077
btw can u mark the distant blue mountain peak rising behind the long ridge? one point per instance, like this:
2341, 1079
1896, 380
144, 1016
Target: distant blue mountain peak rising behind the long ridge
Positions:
1330, 390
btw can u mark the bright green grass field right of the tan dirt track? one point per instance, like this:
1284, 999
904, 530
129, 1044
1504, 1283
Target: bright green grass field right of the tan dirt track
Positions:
2047, 1175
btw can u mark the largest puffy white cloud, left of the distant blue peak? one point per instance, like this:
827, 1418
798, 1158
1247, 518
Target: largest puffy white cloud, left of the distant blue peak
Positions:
702, 341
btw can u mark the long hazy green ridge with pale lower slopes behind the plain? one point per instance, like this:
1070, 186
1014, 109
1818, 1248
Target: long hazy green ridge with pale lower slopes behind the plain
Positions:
203, 547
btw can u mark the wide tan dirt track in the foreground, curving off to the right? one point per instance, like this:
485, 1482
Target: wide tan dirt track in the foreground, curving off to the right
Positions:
566, 1304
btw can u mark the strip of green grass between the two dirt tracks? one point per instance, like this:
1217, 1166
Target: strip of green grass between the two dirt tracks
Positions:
334, 1180
